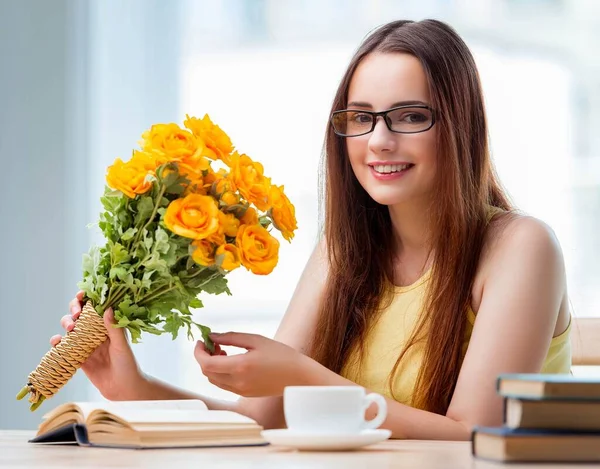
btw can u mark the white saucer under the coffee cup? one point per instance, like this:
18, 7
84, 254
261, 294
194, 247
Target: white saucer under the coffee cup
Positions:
325, 441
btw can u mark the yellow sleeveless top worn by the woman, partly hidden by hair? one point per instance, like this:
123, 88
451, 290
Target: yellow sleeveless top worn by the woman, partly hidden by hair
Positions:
392, 330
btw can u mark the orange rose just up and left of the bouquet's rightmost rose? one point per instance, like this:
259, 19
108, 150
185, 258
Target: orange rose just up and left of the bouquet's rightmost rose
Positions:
248, 177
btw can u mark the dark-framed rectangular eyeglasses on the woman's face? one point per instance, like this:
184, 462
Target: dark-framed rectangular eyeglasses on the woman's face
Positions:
409, 119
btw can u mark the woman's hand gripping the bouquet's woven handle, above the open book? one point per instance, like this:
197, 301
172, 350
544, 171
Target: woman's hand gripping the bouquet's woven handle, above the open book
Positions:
112, 367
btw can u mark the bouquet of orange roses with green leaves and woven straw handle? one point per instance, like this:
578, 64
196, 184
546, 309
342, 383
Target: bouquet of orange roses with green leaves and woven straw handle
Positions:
181, 214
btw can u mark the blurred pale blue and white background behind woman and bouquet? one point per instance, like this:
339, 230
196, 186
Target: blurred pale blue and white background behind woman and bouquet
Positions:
80, 80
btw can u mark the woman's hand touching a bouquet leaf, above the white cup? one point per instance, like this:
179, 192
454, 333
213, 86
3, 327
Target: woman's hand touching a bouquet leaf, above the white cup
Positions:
265, 369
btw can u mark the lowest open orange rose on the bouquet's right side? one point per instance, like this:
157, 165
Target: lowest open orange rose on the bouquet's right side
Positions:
259, 251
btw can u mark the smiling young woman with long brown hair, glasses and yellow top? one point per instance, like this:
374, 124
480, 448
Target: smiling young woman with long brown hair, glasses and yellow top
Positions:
426, 284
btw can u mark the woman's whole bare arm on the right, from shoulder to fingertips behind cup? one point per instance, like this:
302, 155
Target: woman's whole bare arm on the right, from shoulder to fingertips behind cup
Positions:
515, 323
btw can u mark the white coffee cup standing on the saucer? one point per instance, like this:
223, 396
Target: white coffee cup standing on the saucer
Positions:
331, 409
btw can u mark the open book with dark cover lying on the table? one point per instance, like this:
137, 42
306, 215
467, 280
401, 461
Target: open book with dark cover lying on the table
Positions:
147, 424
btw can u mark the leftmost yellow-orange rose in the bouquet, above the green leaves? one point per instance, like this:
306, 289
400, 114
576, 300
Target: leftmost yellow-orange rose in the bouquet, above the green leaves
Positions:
131, 178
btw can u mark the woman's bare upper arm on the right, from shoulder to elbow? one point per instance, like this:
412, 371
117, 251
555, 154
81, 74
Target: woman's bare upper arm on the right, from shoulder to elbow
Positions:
516, 319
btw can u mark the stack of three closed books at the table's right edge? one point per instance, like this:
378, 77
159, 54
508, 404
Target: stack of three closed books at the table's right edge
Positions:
547, 418
